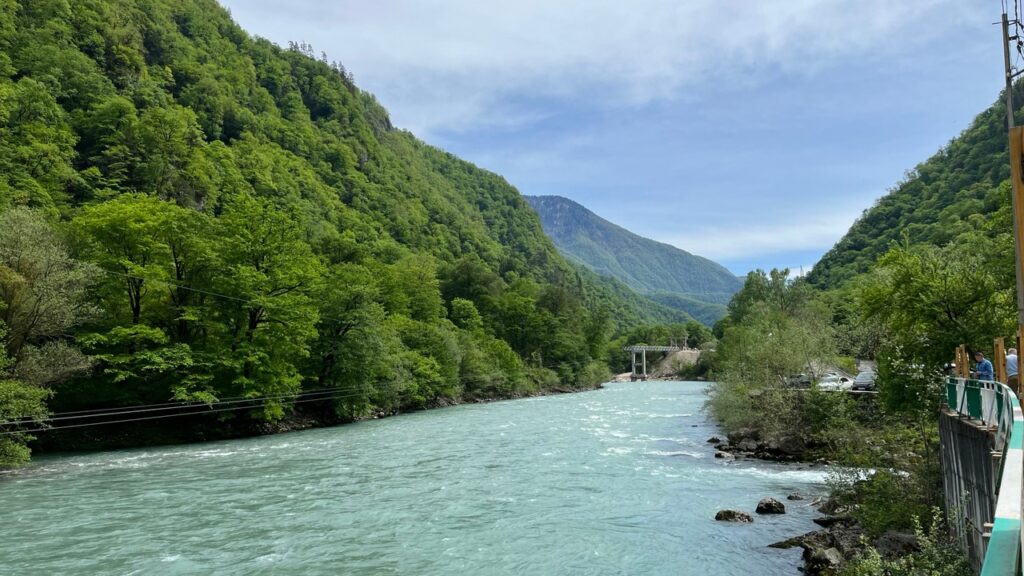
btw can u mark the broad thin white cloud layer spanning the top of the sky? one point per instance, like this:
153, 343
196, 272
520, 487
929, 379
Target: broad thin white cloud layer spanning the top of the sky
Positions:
461, 64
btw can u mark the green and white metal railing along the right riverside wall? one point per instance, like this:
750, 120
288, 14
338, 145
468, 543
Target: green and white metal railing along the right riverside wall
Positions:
997, 406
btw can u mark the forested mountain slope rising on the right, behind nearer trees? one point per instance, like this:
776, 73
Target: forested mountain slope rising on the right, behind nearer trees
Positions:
955, 191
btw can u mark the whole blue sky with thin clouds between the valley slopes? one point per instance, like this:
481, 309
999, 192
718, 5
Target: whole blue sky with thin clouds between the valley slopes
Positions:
753, 134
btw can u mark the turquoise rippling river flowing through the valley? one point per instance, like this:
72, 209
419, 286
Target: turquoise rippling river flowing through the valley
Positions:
616, 481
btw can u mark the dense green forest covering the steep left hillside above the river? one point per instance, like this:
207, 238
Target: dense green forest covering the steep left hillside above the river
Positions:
190, 214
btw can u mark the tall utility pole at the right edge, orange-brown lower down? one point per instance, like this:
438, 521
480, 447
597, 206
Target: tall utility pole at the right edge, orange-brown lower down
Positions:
1016, 176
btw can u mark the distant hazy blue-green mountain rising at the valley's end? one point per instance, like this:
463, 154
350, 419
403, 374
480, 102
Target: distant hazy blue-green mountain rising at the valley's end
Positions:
664, 273
